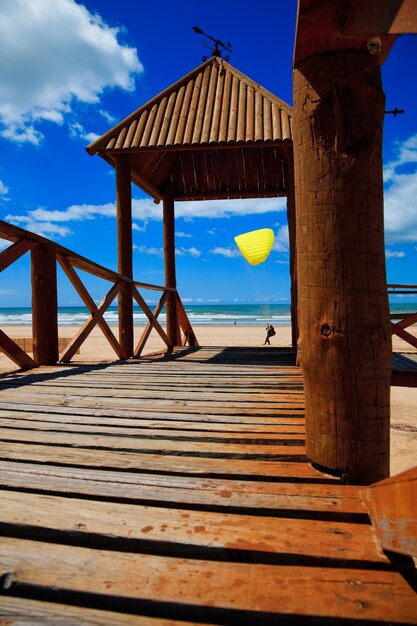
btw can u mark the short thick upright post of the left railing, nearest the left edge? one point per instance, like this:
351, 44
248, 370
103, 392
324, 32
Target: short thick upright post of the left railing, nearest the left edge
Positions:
44, 305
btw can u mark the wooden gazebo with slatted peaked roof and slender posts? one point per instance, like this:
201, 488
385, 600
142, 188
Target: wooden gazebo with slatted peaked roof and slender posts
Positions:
214, 134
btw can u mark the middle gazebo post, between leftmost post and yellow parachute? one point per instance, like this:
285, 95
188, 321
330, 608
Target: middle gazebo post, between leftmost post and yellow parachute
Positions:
169, 259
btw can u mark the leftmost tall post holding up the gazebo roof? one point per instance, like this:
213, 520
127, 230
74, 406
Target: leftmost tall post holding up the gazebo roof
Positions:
125, 251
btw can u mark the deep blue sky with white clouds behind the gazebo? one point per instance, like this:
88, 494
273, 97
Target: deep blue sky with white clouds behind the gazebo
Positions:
71, 70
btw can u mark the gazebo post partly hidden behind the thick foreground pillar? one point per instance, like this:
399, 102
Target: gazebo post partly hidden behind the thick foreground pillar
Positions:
289, 183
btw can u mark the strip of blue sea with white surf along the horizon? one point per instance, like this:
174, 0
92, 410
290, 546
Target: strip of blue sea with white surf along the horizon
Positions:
198, 314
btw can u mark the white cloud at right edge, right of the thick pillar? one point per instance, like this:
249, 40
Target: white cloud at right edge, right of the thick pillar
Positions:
400, 194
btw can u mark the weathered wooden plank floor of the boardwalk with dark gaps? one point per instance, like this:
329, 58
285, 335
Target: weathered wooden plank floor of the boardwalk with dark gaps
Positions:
176, 490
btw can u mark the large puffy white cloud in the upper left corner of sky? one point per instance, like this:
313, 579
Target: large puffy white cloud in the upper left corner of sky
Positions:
54, 53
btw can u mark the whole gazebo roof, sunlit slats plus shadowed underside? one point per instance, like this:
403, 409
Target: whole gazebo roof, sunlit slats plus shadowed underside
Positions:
213, 134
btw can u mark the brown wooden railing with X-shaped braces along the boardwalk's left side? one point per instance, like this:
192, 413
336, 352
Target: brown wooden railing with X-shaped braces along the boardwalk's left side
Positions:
45, 255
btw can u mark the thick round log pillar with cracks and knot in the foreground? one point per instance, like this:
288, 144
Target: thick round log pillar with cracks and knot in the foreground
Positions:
345, 336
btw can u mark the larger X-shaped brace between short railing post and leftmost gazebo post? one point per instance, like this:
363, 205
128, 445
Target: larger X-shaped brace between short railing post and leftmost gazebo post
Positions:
96, 313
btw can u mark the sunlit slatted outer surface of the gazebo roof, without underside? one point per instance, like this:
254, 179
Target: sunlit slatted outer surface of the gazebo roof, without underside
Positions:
200, 115
